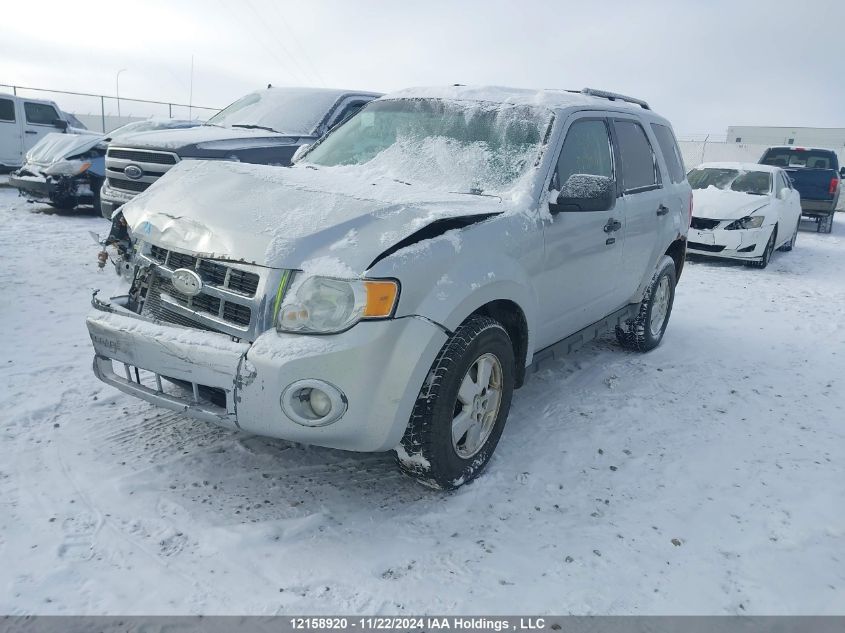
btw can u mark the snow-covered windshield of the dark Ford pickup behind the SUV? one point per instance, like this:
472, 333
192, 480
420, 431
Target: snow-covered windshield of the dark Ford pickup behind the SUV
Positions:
288, 111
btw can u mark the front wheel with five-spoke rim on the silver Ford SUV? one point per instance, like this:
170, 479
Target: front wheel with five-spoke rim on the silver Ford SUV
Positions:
428, 451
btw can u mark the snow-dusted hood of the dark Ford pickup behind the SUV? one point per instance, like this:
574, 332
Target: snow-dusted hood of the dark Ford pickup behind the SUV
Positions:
197, 141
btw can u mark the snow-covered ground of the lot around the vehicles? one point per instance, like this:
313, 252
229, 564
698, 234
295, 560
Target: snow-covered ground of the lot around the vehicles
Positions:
705, 477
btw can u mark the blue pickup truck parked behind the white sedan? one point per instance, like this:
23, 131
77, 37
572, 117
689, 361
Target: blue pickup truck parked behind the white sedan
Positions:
816, 175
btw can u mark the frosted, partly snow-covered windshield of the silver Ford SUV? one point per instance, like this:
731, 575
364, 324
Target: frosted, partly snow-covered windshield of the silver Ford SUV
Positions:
463, 147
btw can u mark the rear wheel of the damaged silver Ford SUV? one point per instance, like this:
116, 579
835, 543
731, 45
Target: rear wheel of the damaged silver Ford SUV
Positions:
641, 334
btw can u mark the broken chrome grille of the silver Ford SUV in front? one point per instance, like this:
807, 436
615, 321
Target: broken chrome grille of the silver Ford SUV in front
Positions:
227, 302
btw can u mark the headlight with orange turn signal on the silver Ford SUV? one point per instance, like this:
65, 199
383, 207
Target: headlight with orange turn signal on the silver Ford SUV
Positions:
325, 305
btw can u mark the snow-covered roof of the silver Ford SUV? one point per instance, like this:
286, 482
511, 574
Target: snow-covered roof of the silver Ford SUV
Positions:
551, 98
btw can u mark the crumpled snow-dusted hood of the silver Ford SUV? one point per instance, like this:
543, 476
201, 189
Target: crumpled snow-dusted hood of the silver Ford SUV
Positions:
333, 220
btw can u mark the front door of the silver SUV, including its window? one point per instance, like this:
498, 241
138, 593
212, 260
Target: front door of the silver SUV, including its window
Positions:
583, 249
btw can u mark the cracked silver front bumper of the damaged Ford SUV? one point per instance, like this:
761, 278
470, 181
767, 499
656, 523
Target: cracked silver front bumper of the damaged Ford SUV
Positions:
379, 366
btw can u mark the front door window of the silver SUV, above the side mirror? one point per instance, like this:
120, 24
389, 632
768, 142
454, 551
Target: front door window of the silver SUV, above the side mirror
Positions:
586, 150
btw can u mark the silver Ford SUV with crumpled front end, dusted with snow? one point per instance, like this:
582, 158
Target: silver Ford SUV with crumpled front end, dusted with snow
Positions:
389, 291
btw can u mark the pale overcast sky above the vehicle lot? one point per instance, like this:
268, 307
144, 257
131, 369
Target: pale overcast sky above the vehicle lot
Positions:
704, 65
